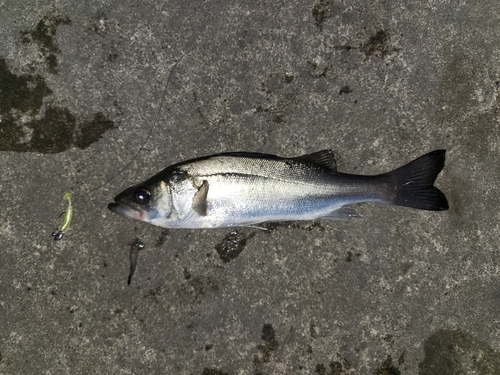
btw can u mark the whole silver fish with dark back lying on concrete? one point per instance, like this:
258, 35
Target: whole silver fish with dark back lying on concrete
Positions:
242, 189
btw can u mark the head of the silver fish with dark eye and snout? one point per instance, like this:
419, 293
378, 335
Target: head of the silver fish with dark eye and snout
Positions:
148, 202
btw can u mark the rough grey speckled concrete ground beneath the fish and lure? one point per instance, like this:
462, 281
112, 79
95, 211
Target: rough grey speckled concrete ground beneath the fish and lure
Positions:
399, 291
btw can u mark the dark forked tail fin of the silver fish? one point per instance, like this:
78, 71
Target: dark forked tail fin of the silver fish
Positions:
414, 183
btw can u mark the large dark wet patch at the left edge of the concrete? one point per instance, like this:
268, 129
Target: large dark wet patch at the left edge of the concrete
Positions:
28, 125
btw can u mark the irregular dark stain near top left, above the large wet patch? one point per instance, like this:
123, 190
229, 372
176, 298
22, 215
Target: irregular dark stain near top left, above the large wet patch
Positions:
44, 36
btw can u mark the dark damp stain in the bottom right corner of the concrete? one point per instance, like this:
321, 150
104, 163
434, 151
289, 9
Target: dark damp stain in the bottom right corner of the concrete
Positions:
450, 352
